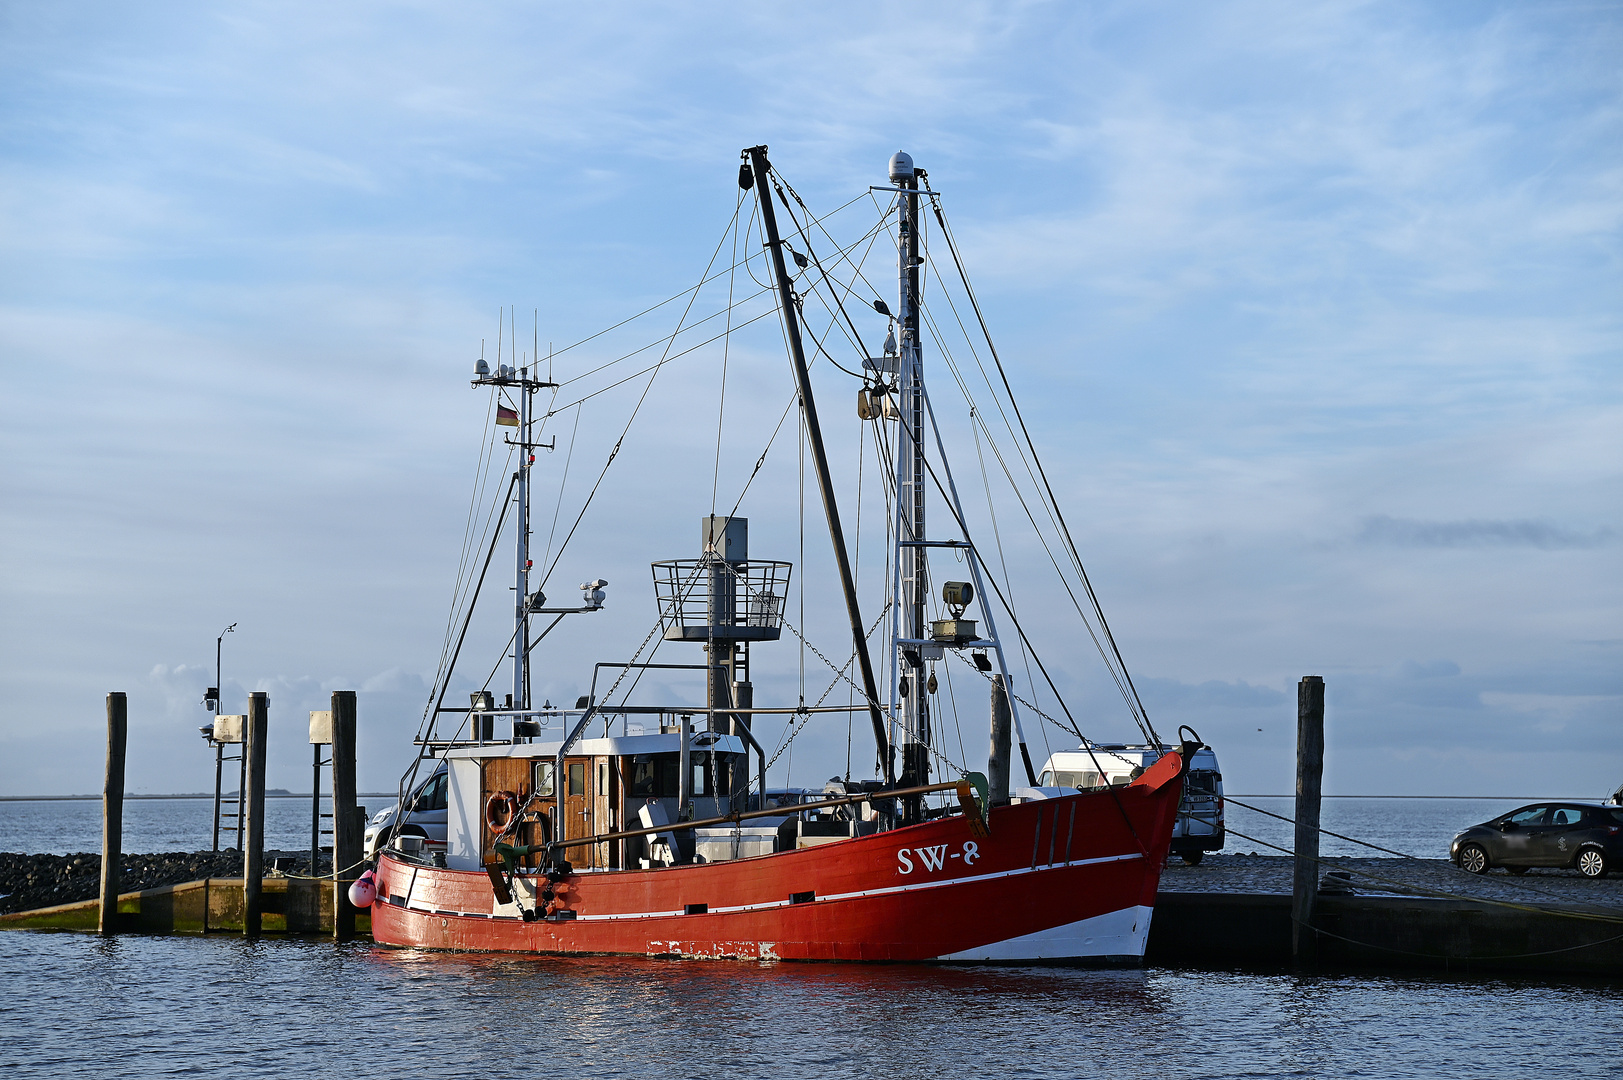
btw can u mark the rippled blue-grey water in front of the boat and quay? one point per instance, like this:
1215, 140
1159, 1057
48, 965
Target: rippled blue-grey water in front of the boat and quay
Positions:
282, 1008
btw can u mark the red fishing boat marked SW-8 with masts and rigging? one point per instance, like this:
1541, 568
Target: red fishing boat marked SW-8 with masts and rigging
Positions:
666, 842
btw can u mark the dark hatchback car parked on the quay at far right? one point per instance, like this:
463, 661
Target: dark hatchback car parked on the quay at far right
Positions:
1583, 836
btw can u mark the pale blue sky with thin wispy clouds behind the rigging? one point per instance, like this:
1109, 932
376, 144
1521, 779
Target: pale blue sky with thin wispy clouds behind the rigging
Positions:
1314, 313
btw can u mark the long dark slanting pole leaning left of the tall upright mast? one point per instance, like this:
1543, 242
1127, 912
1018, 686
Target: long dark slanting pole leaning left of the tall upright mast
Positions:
786, 300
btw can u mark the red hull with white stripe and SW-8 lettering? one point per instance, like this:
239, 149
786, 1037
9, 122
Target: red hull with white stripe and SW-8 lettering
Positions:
1070, 879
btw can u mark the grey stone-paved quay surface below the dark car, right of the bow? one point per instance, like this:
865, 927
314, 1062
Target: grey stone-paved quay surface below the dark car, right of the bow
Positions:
1403, 878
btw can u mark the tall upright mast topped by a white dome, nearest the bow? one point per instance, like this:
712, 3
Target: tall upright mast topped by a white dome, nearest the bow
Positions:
910, 491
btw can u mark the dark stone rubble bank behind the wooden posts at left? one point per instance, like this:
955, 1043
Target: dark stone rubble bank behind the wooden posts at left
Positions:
43, 881
